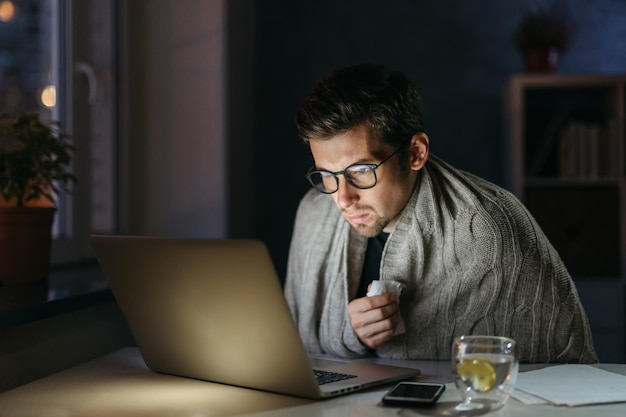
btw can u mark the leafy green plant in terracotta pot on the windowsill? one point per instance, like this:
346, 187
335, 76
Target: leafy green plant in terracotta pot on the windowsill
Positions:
34, 162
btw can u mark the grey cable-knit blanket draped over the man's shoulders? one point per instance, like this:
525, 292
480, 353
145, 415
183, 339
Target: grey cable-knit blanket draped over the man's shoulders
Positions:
472, 260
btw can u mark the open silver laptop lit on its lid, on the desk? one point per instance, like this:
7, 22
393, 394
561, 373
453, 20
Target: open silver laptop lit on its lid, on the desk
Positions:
213, 309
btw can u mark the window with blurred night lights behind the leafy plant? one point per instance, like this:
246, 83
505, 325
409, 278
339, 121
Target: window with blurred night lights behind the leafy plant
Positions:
58, 58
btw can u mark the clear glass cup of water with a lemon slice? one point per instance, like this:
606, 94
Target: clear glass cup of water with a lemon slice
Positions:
485, 370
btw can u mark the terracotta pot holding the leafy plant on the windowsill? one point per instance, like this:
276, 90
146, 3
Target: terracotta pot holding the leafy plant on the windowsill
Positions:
25, 239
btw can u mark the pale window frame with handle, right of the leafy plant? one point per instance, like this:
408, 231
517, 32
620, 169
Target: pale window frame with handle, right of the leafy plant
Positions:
80, 85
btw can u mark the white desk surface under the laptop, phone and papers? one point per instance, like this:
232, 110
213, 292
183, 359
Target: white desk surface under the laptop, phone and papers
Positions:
119, 384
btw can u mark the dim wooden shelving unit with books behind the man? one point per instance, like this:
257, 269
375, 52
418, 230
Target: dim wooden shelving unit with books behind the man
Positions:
566, 155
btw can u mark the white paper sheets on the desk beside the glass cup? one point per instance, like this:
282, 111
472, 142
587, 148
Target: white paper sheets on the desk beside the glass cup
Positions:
570, 385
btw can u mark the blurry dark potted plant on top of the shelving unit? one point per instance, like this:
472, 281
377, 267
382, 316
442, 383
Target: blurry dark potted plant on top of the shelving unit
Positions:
542, 36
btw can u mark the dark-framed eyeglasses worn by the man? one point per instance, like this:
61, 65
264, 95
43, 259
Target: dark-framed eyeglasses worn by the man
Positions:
361, 176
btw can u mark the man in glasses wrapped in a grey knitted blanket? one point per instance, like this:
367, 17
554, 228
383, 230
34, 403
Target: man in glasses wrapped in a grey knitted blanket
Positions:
466, 256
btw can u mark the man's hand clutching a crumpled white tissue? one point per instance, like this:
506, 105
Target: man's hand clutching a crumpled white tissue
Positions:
374, 318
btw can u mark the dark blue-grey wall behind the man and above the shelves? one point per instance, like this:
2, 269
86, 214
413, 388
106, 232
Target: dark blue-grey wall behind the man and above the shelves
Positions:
460, 54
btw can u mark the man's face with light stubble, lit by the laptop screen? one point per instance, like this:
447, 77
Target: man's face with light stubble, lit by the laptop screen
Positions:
377, 209
